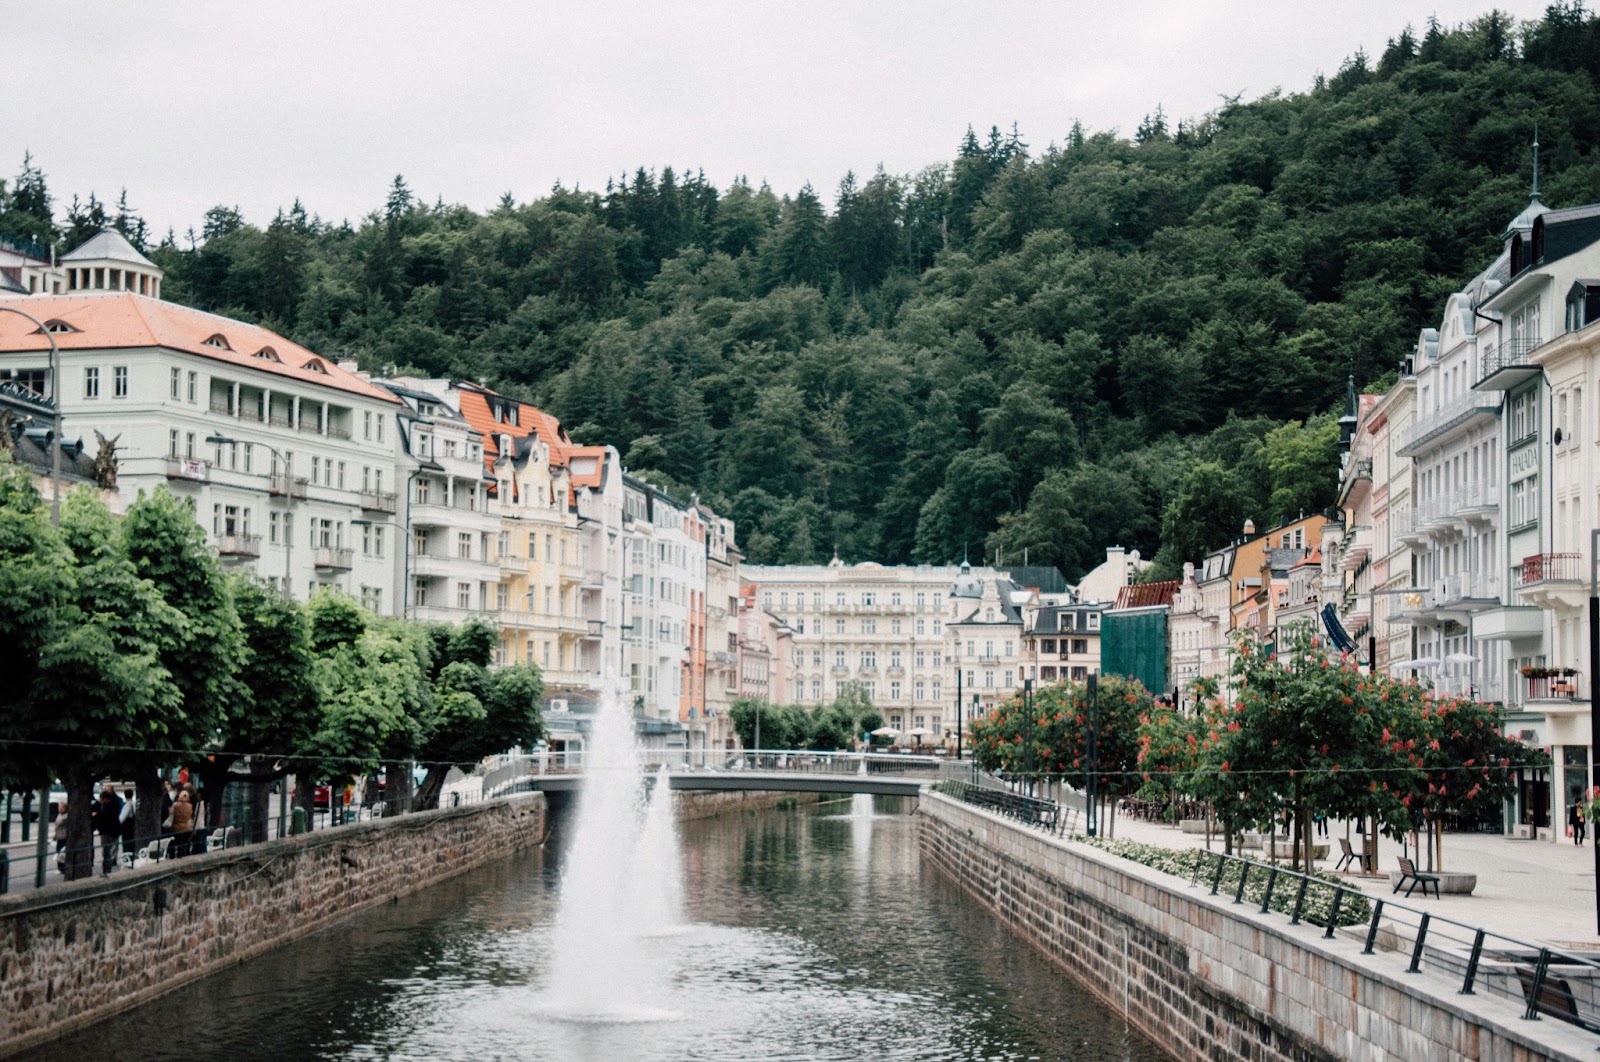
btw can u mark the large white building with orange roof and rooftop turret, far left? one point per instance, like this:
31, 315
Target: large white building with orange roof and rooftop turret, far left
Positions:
266, 439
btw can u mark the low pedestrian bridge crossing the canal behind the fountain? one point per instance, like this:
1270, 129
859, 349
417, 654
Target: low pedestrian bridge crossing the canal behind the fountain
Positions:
881, 775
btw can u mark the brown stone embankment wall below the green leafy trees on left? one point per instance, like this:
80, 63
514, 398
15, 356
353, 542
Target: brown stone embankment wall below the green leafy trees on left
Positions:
76, 954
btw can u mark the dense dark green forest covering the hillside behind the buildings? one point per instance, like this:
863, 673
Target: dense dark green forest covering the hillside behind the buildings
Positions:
1108, 340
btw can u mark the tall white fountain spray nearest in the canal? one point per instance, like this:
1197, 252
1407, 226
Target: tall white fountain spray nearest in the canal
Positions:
601, 970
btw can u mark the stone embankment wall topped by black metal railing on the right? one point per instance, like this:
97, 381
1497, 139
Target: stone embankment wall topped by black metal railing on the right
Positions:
1207, 980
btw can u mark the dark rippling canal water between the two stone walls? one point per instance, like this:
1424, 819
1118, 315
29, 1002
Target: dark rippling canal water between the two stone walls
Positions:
812, 935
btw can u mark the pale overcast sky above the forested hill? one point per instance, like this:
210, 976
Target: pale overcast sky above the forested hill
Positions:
190, 105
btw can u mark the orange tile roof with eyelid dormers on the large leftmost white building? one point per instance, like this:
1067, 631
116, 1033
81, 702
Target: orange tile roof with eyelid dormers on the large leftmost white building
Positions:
113, 321
